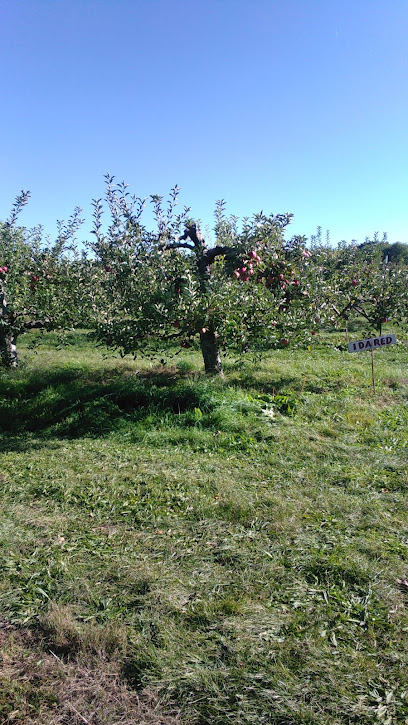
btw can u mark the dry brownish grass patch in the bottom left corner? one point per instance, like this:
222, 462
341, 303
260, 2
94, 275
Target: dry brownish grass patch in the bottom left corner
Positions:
38, 687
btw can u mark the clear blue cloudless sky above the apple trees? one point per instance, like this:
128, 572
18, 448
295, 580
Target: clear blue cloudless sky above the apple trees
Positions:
280, 105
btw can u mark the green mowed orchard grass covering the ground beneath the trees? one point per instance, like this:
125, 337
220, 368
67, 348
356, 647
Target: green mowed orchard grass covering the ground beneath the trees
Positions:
192, 550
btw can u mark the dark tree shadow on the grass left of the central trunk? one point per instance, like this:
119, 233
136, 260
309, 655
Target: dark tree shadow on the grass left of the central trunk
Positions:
68, 403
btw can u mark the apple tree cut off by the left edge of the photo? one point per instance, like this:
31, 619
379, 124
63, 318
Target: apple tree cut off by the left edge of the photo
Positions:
38, 281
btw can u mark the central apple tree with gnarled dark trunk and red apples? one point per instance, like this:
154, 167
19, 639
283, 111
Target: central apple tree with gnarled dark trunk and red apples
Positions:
249, 291
